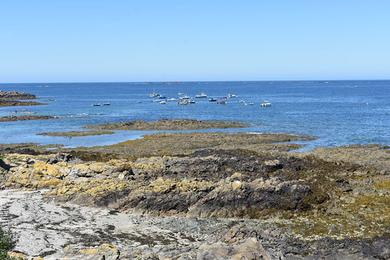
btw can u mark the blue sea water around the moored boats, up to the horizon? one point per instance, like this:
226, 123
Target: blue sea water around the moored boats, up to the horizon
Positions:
336, 112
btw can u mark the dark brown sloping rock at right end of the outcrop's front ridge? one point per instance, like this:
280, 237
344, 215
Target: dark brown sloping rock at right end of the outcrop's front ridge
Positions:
248, 200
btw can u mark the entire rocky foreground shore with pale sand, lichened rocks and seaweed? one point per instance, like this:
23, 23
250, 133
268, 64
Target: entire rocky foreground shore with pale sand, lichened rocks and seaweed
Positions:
197, 196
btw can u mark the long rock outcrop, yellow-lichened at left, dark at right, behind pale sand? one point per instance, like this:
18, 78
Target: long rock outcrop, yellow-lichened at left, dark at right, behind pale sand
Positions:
209, 183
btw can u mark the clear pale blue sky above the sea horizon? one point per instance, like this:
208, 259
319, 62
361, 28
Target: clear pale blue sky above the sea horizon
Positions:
179, 40
